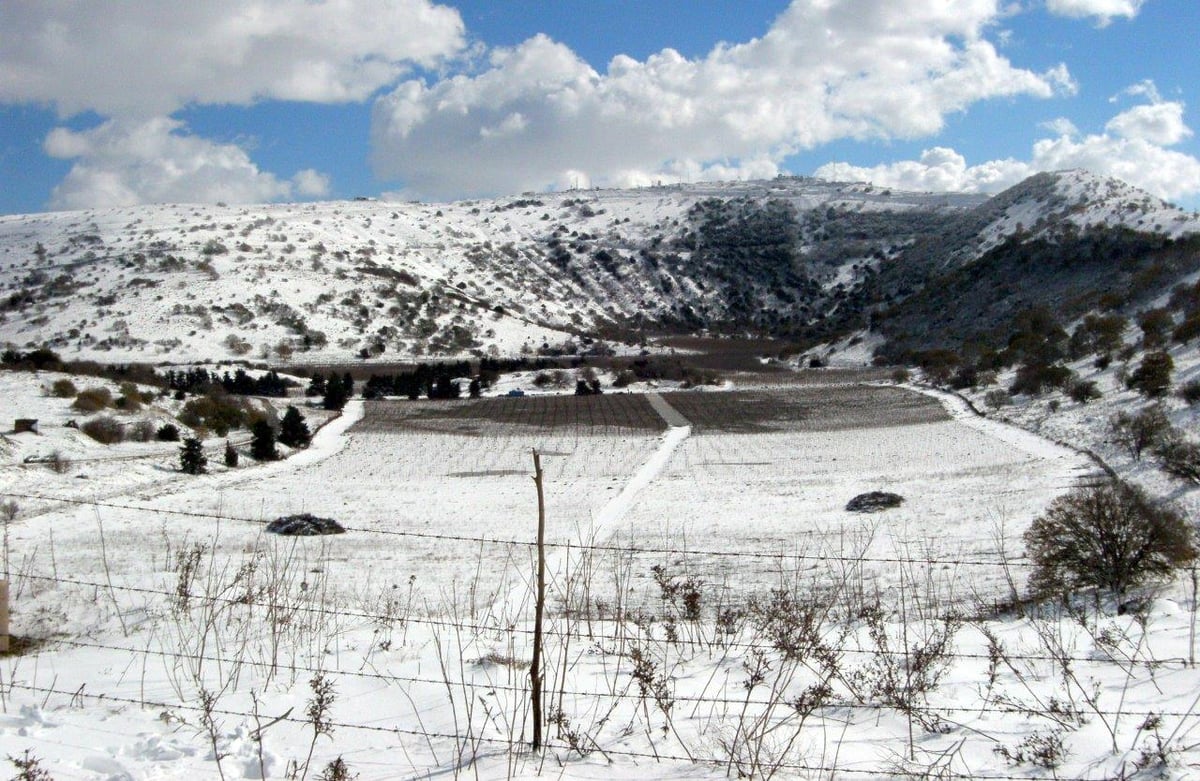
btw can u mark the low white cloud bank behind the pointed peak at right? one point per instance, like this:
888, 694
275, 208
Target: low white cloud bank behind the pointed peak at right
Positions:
1135, 147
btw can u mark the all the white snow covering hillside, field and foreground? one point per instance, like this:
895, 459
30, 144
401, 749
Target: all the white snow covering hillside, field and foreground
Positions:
140, 592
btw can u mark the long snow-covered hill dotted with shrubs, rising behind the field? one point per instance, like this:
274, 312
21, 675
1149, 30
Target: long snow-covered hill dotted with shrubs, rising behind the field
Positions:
351, 280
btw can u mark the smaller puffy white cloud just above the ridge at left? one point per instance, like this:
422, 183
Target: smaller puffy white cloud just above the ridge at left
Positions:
125, 164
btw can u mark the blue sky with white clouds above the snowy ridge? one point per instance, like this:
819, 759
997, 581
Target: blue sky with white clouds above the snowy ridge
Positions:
247, 101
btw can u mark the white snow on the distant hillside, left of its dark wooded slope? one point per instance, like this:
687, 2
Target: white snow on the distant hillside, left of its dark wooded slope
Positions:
164, 283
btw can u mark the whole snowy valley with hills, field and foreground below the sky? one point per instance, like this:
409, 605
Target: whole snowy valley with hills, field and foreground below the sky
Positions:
749, 362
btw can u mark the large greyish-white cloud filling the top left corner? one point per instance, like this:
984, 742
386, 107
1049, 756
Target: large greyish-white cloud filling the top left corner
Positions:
154, 57
